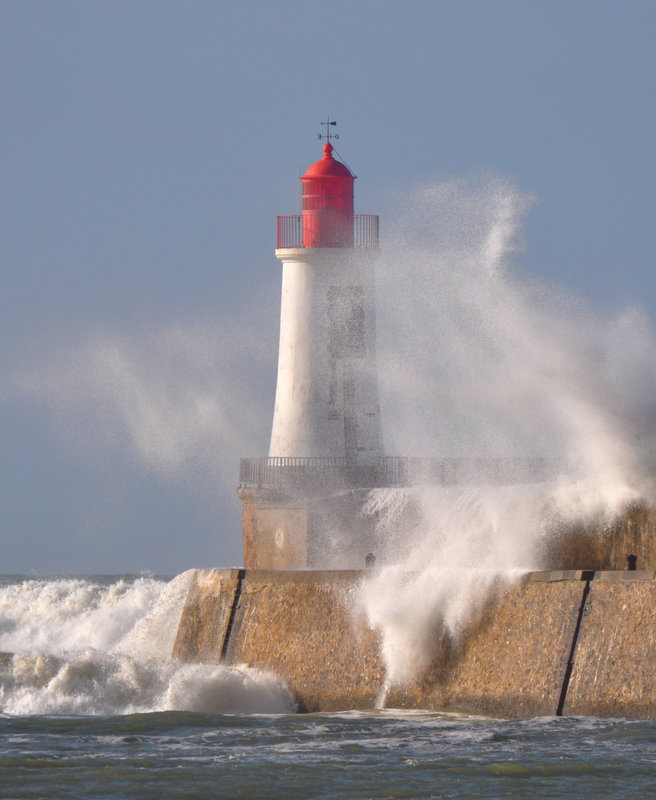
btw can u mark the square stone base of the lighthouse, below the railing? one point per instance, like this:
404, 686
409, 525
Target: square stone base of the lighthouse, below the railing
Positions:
286, 530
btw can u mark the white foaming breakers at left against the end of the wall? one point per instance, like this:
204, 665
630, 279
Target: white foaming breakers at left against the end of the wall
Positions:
85, 646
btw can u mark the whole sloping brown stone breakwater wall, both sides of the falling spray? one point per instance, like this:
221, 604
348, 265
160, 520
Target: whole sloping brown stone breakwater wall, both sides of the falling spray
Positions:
559, 642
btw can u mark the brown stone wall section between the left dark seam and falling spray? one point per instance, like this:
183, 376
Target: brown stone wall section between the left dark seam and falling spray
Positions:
302, 626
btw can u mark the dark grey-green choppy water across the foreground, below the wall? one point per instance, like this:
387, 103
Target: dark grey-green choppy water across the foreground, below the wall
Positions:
384, 755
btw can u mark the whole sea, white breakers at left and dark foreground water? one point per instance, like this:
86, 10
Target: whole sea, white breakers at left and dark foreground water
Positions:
93, 706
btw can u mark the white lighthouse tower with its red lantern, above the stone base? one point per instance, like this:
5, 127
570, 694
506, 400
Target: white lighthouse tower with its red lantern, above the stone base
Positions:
327, 391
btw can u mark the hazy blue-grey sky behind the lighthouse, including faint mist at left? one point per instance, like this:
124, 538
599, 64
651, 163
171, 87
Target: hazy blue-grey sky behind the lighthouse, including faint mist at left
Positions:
147, 148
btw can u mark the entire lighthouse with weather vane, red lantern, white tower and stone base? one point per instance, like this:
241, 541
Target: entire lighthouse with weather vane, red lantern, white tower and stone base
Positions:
302, 502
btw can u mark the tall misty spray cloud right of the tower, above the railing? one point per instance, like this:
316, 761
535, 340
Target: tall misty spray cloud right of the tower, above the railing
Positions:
479, 359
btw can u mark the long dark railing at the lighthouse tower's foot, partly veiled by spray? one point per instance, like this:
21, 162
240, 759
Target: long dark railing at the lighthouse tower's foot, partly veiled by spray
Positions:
393, 471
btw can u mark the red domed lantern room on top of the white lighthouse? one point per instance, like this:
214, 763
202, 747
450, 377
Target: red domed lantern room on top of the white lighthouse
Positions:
328, 203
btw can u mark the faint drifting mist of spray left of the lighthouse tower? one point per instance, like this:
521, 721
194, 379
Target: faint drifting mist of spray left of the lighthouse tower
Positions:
184, 400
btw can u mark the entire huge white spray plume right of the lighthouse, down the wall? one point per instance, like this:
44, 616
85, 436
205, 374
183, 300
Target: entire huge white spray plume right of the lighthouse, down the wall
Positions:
478, 360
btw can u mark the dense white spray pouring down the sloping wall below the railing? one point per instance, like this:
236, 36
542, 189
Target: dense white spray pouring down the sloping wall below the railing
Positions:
457, 543
